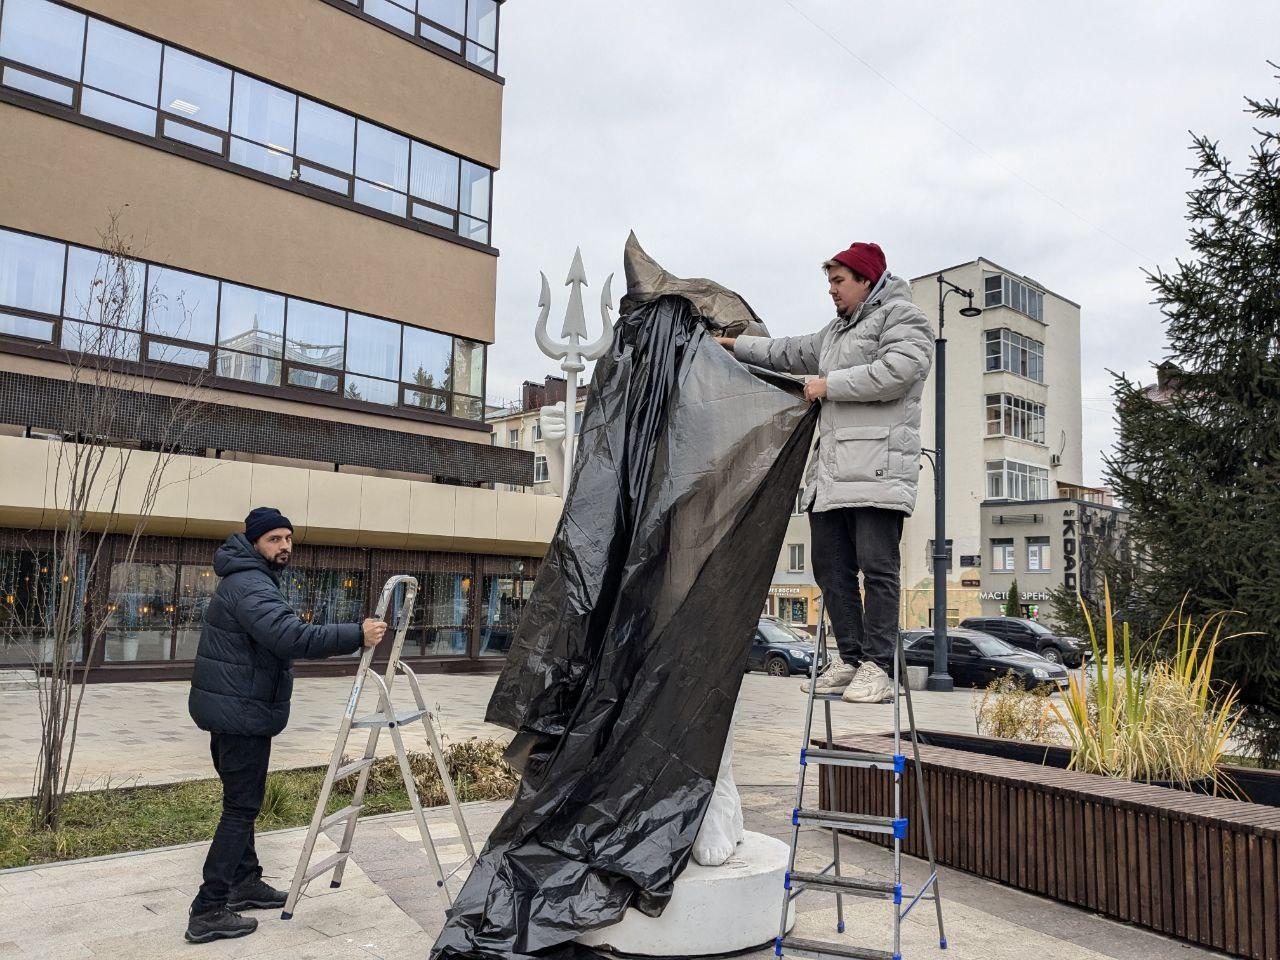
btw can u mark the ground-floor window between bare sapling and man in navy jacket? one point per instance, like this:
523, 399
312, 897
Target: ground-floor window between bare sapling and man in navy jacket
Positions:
141, 609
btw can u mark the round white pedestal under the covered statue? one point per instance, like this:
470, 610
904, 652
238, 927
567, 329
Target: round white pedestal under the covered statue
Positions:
712, 911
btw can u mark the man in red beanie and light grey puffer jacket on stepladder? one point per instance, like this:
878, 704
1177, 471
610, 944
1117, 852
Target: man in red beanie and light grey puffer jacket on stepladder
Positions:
870, 367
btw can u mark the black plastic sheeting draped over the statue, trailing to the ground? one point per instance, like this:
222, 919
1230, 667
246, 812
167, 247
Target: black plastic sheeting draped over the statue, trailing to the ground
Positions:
627, 666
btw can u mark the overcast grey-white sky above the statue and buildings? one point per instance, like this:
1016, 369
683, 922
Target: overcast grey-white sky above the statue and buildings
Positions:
748, 140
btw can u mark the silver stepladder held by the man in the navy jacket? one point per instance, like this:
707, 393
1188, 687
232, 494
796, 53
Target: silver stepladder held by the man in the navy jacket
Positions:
386, 719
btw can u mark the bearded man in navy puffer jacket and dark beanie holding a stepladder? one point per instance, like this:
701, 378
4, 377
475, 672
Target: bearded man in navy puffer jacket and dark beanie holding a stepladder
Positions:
240, 693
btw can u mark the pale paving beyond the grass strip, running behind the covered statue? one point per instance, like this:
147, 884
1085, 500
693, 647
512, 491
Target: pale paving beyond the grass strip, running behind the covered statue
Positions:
141, 733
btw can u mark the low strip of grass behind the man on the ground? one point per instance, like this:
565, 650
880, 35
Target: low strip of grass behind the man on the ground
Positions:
129, 817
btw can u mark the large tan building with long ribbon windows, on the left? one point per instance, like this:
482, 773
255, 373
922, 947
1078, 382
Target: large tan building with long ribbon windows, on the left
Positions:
308, 188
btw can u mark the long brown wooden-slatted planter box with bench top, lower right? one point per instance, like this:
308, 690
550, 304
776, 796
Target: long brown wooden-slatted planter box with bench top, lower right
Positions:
1200, 868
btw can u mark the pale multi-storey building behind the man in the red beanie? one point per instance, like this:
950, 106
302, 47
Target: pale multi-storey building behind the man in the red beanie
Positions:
1014, 433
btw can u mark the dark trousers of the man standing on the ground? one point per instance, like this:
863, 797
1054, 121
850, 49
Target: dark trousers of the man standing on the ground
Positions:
241, 765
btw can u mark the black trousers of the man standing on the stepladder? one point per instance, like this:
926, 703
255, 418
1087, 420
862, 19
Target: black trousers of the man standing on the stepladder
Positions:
844, 543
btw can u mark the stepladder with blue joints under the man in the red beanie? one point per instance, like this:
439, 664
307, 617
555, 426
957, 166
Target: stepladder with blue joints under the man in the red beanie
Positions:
830, 879
